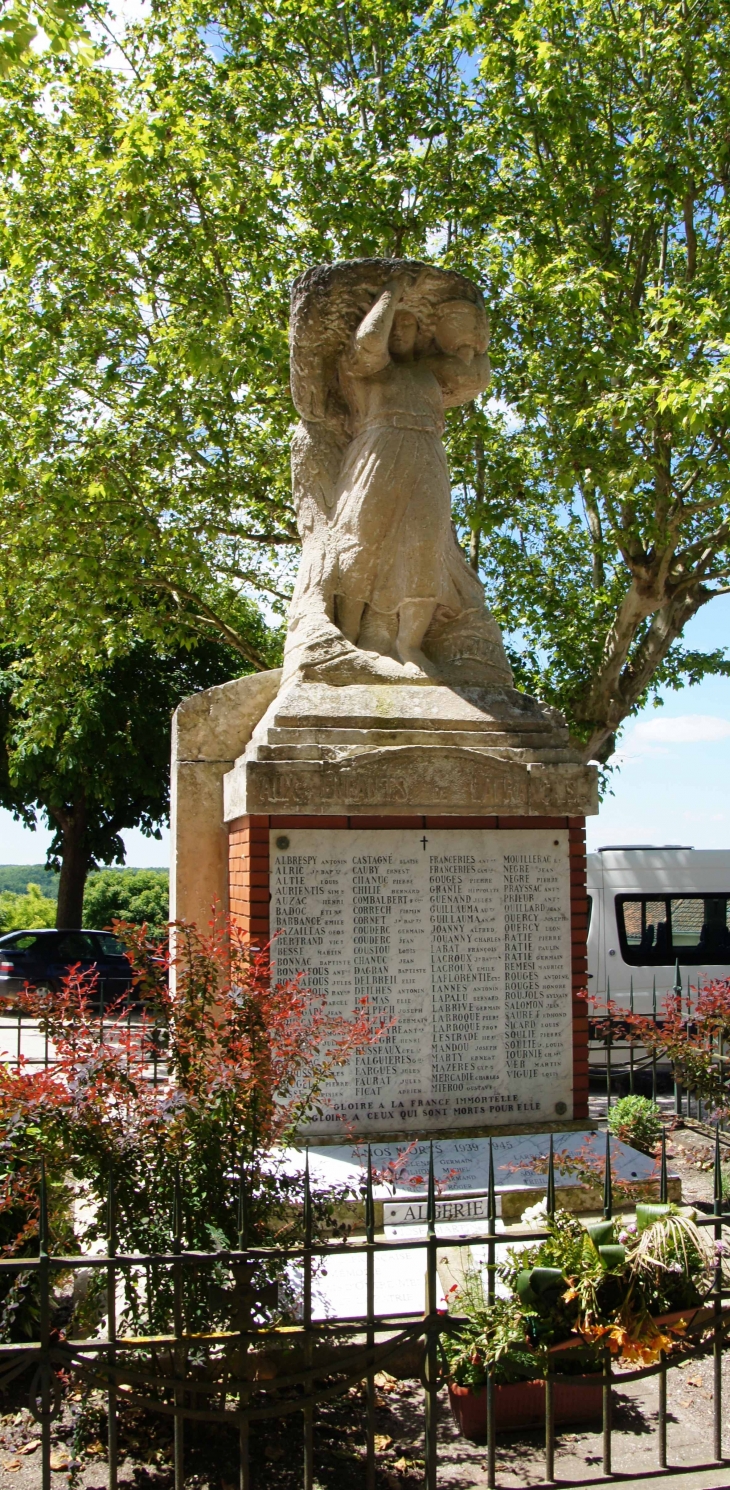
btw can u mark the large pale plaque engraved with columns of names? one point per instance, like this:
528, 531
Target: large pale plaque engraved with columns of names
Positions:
463, 938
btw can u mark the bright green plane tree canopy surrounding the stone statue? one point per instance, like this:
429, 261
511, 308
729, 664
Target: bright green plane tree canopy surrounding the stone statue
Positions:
160, 197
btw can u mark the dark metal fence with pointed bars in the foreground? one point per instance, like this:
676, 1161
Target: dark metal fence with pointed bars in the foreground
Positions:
163, 1376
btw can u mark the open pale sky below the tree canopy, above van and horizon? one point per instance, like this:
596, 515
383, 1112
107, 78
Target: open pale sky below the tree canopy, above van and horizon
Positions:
671, 786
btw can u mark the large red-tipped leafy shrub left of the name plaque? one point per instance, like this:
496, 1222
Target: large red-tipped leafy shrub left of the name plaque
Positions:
181, 1105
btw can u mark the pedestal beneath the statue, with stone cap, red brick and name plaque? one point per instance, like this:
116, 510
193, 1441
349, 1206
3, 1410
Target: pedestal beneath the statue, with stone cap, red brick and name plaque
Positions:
425, 849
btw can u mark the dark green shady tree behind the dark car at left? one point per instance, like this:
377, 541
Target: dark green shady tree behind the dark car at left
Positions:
93, 755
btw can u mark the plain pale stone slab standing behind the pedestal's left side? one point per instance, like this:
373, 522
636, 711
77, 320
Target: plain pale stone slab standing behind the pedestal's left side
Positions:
209, 732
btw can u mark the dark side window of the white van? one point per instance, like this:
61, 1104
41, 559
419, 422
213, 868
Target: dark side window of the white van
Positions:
688, 929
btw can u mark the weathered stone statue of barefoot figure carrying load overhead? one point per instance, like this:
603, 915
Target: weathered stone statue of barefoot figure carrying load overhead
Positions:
379, 351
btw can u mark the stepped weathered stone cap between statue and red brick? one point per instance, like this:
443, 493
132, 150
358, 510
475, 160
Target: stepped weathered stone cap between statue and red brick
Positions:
388, 749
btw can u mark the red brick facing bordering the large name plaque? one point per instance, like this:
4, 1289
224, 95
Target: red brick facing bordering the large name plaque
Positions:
250, 893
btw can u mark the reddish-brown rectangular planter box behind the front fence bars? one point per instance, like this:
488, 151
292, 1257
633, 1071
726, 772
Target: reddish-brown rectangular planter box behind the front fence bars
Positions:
522, 1404
